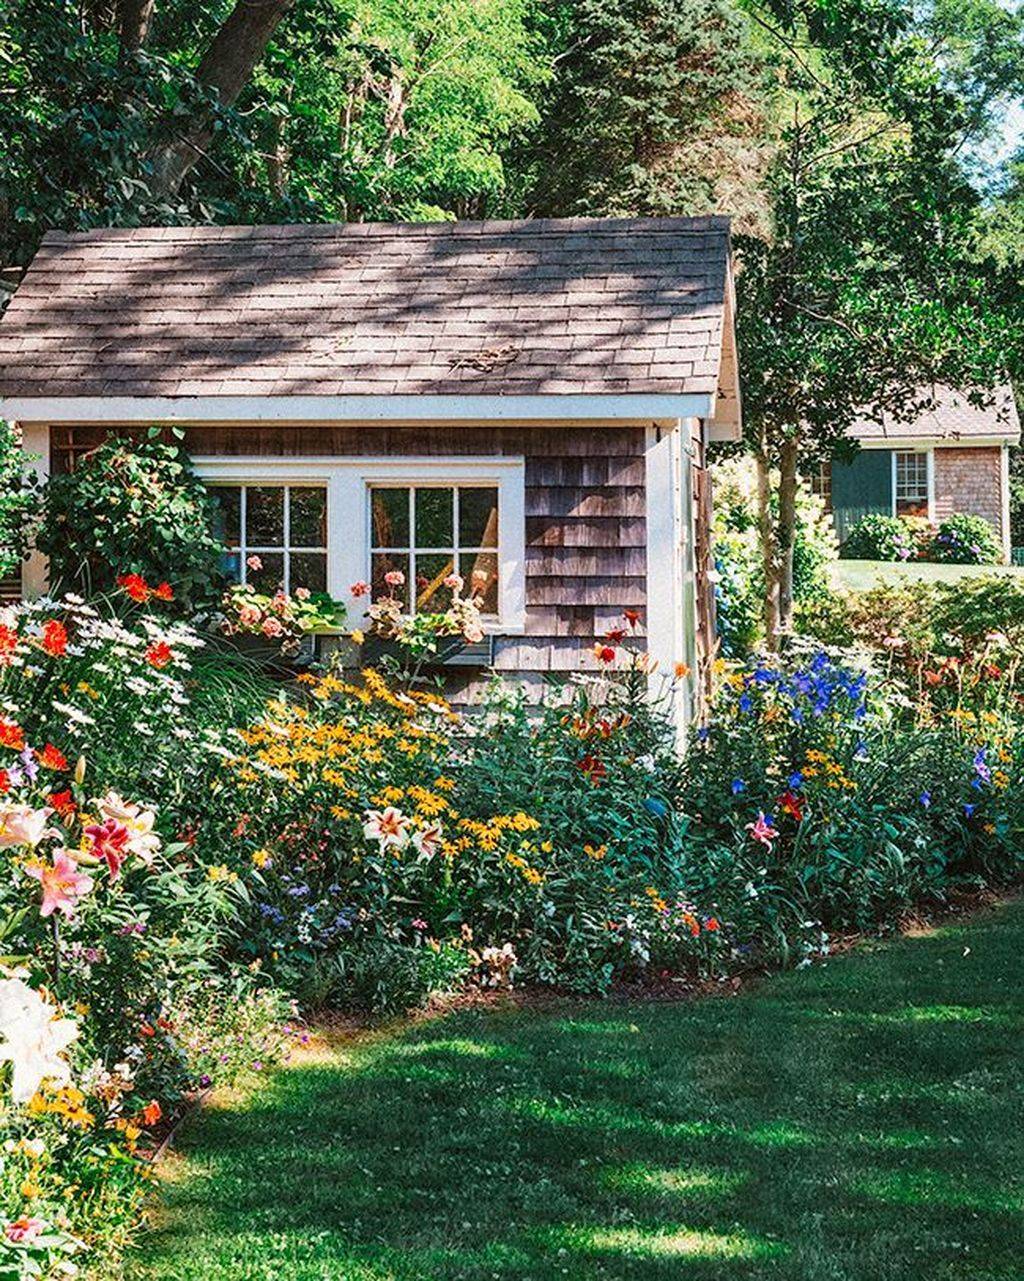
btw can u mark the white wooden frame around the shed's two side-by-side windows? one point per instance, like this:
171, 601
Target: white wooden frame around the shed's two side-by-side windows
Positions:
349, 481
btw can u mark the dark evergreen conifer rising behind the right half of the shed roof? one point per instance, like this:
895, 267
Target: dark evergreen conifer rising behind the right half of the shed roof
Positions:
650, 111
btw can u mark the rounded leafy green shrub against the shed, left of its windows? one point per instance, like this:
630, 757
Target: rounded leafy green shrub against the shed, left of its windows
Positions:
133, 508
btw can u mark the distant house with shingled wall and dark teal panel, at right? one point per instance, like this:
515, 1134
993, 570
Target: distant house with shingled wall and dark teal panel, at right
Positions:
953, 459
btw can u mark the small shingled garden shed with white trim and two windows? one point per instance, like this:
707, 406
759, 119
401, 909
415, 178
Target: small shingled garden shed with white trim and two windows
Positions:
527, 400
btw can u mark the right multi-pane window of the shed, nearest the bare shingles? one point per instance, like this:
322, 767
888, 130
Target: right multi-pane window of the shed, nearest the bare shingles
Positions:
431, 532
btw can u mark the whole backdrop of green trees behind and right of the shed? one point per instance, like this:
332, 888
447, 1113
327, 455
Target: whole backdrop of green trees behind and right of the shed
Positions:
864, 149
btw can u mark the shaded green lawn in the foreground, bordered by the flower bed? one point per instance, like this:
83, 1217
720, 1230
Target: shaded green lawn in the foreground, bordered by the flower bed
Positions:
859, 1122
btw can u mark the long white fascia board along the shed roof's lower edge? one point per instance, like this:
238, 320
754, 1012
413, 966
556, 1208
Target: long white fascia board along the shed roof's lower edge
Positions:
352, 409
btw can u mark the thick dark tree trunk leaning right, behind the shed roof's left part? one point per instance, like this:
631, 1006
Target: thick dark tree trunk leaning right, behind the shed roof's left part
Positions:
225, 70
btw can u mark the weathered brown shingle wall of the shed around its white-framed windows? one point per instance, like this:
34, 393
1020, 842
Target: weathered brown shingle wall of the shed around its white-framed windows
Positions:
586, 555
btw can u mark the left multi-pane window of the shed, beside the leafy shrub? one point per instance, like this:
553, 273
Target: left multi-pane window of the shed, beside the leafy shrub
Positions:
276, 536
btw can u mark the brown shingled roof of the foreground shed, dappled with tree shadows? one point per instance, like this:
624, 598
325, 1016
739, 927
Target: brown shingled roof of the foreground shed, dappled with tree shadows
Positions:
545, 307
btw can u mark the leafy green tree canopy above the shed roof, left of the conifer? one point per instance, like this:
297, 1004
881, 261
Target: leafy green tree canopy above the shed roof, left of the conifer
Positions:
398, 111
